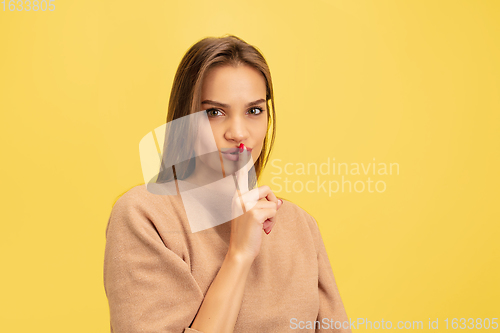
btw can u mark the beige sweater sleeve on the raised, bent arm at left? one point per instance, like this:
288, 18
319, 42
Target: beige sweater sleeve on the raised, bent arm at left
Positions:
149, 287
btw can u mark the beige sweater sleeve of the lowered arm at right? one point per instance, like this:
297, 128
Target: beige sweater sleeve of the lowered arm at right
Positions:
330, 303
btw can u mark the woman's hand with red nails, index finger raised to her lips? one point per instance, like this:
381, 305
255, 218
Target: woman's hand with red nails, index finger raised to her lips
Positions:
261, 206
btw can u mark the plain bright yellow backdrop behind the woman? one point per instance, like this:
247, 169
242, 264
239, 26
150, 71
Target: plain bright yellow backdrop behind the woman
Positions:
410, 82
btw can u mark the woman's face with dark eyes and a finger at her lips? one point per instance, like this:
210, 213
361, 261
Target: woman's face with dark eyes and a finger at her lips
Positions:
235, 100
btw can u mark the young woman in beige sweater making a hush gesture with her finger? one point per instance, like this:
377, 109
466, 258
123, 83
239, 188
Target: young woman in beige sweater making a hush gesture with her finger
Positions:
266, 269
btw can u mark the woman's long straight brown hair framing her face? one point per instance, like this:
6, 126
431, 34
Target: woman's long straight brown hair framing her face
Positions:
185, 98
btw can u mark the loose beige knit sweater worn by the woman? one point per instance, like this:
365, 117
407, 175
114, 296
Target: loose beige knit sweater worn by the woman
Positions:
156, 272
